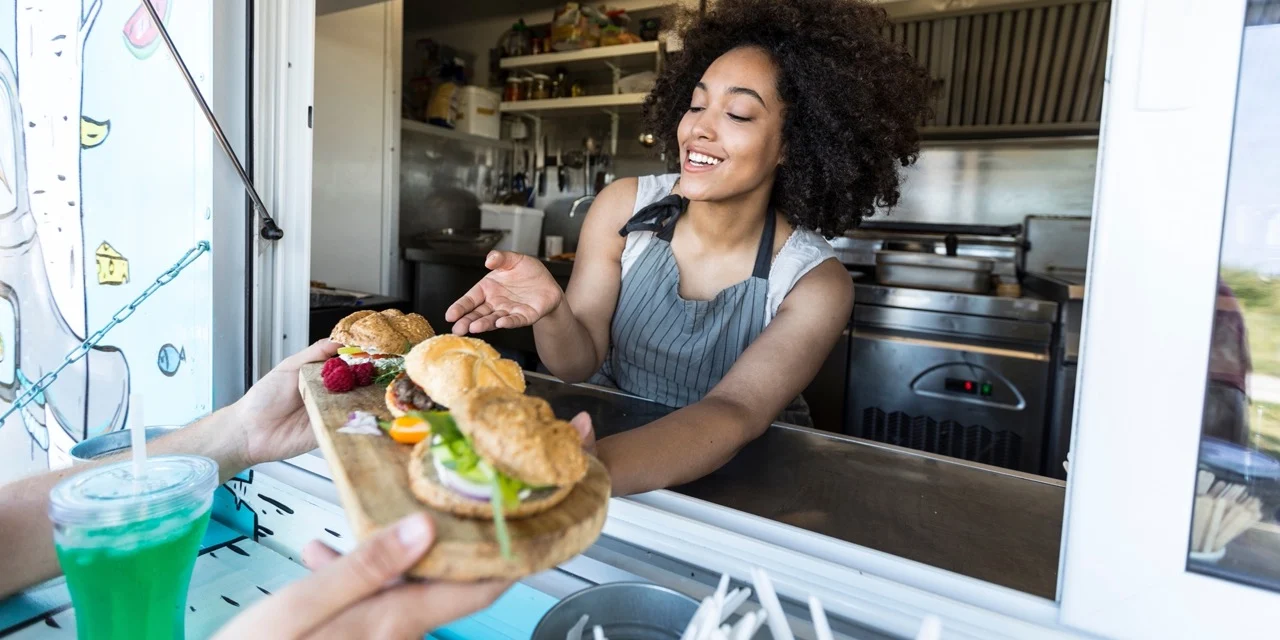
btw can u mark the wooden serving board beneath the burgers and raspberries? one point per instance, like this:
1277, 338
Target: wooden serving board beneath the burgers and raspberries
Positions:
372, 474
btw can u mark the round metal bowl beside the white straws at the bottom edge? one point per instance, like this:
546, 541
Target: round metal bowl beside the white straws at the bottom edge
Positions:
627, 611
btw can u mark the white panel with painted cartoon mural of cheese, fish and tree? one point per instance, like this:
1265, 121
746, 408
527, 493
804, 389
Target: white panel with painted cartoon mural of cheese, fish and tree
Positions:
106, 181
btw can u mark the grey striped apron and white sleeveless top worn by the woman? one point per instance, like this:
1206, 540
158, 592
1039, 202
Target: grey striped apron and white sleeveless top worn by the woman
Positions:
671, 350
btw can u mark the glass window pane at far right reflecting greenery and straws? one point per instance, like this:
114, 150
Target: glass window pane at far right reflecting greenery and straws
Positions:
1236, 524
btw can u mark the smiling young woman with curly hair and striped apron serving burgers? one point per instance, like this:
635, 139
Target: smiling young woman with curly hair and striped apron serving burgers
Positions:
714, 291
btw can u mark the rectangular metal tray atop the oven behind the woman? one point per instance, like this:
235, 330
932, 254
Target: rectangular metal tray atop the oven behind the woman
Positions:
961, 275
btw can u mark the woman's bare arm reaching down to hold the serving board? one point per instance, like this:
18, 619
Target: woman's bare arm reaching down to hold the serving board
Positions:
771, 373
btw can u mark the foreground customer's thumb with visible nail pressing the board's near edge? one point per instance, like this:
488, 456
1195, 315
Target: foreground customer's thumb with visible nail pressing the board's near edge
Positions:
342, 583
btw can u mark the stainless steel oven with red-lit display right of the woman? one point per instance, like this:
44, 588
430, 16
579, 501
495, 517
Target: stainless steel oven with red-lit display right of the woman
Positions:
954, 374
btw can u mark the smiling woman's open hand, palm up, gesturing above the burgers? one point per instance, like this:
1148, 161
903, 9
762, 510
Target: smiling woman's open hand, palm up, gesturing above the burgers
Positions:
518, 292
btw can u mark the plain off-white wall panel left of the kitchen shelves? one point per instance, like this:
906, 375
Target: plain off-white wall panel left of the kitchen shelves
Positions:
353, 153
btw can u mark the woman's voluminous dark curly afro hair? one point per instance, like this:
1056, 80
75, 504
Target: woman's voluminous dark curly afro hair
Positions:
853, 100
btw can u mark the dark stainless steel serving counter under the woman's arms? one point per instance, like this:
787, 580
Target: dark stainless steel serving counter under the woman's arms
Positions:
971, 519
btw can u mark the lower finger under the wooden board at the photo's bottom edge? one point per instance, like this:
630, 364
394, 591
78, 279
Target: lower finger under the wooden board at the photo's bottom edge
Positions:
412, 610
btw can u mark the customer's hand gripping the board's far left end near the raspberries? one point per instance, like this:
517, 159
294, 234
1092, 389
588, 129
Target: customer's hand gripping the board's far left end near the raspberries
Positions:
273, 422
